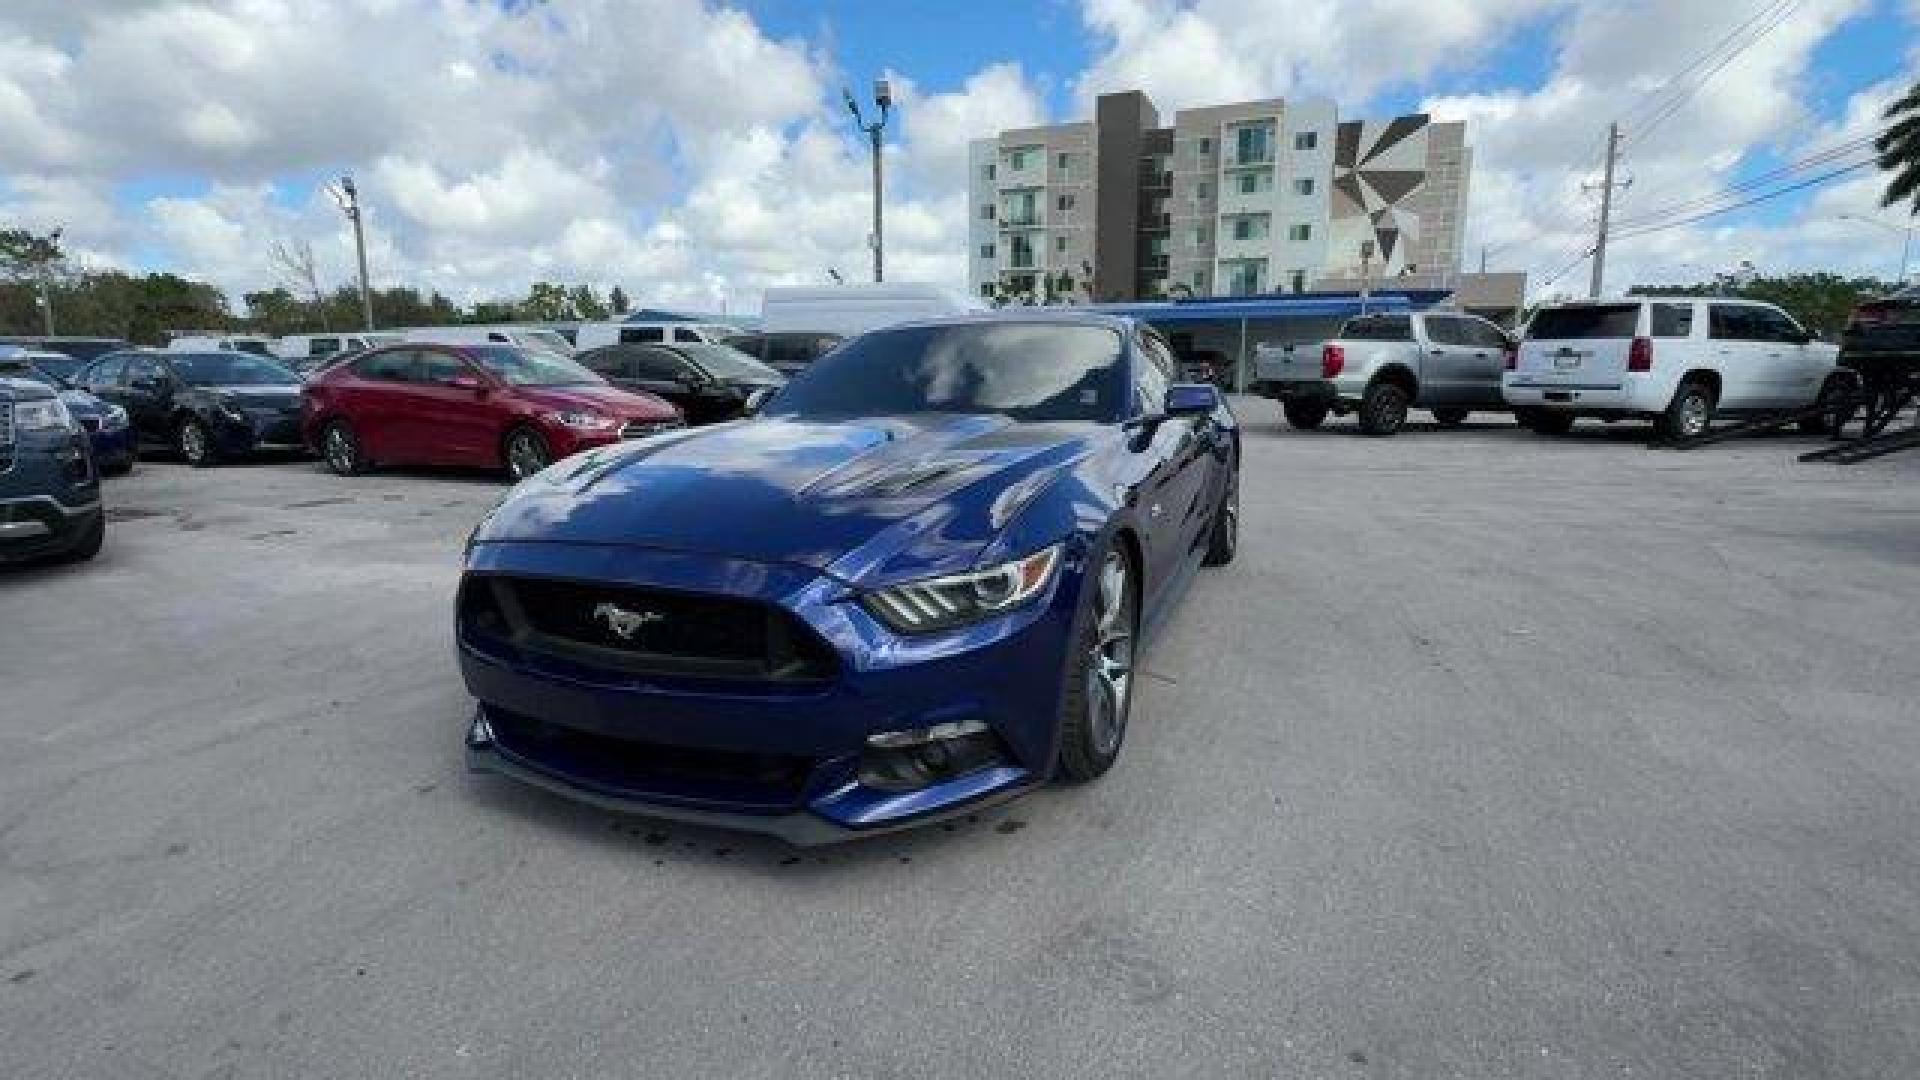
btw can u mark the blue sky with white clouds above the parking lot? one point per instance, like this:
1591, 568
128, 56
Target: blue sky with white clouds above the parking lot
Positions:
698, 153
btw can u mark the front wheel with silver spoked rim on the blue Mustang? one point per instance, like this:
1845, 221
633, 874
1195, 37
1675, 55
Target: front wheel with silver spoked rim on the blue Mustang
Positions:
1090, 745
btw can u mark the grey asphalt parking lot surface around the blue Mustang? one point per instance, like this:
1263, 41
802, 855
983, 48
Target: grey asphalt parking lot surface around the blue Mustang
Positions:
1491, 756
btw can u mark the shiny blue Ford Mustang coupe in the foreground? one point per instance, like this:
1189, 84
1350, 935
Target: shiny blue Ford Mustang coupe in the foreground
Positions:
915, 585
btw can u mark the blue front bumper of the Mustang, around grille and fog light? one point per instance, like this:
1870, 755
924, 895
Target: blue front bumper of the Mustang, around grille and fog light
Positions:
615, 739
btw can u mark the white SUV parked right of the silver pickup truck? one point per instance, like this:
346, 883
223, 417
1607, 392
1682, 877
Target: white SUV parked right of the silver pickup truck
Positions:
1675, 360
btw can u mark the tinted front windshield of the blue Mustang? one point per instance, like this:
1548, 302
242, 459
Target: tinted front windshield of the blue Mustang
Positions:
1030, 372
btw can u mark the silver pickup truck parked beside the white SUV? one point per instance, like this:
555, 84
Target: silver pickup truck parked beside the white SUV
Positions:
1383, 366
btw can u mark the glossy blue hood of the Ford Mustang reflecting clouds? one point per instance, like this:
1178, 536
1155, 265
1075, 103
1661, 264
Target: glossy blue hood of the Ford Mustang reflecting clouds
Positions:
834, 497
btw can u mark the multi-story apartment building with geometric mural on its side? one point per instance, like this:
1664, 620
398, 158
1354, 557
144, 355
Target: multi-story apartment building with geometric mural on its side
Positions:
1230, 201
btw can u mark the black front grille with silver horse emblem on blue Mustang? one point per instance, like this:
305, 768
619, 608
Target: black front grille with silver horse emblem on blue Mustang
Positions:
646, 631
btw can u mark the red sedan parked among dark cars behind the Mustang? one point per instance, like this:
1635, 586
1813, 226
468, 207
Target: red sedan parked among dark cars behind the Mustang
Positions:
483, 406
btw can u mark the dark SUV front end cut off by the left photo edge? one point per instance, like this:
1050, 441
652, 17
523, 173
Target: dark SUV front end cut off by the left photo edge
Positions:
49, 487
